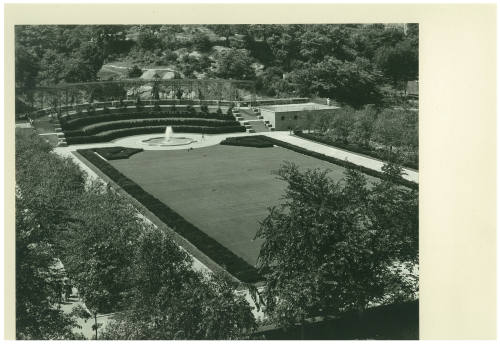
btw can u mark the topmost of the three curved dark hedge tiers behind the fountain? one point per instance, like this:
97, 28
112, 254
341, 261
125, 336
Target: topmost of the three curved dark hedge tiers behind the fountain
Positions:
77, 123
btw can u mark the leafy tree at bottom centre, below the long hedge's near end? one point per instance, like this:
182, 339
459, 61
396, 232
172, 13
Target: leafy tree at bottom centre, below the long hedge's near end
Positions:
171, 301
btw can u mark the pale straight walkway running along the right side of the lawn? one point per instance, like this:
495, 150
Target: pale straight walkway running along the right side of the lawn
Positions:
367, 162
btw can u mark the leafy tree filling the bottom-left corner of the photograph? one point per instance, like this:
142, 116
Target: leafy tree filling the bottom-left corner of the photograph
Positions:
38, 315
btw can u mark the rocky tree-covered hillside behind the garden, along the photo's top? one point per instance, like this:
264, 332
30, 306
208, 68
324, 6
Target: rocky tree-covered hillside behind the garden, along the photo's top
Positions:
354, 64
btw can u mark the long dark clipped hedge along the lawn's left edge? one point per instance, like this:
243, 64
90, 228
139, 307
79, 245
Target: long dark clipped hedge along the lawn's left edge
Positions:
220, 254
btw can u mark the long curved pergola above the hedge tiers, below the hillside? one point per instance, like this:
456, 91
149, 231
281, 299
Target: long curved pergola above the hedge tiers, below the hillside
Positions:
198, 91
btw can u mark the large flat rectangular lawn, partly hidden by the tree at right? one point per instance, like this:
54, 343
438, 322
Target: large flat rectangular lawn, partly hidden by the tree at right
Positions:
223, 190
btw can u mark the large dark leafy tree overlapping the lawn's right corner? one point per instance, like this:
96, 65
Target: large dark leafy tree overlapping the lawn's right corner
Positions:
325, 253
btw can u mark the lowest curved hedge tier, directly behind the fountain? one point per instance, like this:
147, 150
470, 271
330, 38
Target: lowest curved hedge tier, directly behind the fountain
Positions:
119, 133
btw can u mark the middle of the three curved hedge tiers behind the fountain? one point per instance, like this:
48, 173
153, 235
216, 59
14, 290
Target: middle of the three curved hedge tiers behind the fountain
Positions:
108, 126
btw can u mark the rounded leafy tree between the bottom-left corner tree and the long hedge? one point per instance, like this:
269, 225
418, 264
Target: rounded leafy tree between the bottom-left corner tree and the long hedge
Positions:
97, 246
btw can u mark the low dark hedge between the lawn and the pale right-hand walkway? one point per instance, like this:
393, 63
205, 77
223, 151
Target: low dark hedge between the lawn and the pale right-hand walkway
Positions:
343, 163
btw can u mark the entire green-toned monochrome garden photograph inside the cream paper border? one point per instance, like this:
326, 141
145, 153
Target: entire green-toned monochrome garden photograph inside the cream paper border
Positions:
217, 181
